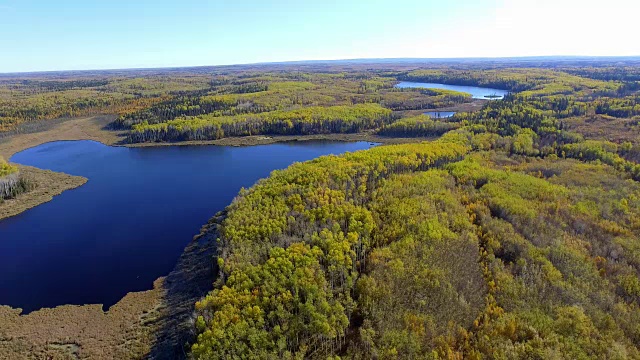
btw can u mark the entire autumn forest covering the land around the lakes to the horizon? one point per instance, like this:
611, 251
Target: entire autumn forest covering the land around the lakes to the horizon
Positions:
510, 230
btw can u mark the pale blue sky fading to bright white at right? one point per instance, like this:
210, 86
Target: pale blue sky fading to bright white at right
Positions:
44, 35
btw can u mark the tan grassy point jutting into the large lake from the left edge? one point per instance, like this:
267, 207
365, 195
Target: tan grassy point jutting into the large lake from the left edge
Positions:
47, 185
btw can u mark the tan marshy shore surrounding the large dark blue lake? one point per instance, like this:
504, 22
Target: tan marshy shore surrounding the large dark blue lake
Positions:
153, 322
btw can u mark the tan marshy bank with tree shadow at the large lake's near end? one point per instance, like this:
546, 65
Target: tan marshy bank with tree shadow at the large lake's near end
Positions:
154, 324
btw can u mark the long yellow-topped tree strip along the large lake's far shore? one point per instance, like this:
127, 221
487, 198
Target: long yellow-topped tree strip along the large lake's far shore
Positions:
304, 121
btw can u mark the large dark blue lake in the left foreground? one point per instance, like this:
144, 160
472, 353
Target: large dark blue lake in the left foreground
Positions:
130, 222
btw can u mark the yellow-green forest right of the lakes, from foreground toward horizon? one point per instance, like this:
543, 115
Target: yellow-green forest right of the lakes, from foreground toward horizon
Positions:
511, 236
